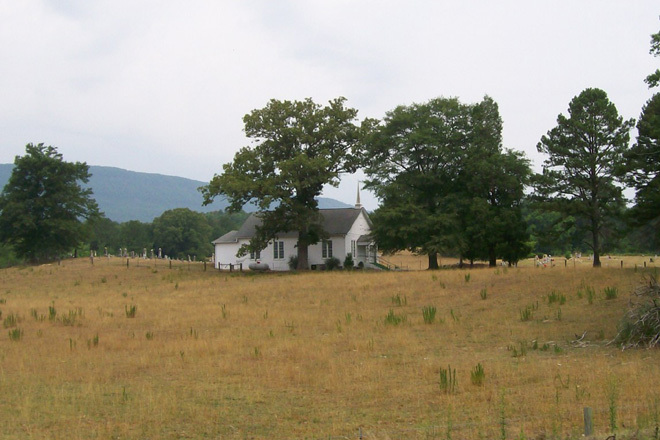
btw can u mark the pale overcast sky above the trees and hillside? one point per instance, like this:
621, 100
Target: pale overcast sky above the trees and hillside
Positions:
162, 86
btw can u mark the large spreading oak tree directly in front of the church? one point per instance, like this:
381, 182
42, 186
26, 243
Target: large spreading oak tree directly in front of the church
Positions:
300, 146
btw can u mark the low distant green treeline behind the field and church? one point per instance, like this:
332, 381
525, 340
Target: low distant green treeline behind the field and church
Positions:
182, 232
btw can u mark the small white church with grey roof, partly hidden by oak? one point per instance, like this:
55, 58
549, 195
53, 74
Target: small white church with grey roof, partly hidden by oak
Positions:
348, 231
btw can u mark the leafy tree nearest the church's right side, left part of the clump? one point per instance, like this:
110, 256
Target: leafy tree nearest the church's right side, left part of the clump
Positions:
414, 163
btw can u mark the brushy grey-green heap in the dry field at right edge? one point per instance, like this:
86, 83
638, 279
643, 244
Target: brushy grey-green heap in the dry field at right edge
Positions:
641, 324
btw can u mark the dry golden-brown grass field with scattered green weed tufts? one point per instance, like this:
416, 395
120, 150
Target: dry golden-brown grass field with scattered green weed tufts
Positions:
320, 355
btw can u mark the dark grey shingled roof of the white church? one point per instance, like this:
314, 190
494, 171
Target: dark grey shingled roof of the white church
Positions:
335, 222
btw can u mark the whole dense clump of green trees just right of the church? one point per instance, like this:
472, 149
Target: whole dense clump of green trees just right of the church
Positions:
438, 169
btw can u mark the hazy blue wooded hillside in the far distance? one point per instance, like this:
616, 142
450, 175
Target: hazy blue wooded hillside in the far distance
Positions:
128, 195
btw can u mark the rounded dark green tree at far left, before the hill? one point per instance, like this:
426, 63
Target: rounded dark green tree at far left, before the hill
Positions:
43, 206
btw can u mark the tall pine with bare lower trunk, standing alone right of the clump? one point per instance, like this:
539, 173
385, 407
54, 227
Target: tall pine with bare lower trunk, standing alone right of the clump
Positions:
585, 160
